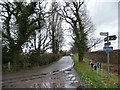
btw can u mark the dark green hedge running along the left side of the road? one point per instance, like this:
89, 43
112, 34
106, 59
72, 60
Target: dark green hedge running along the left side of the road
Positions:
28, 61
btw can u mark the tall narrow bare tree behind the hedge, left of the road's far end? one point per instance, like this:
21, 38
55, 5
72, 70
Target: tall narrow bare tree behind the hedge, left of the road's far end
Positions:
56, 31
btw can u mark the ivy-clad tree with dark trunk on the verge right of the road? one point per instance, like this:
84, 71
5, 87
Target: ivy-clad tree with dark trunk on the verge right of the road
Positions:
73, 14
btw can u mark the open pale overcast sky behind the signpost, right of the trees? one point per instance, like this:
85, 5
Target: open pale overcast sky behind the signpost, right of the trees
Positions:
104, 15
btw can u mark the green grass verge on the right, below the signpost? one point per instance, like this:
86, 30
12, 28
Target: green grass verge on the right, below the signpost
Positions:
91, 78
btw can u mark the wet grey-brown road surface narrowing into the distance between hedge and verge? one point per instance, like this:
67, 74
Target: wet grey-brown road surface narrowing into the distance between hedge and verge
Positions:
60, 74
